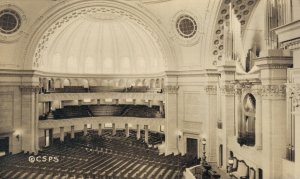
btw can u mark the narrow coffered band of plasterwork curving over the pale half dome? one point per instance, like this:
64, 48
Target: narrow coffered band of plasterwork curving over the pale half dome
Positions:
95, 12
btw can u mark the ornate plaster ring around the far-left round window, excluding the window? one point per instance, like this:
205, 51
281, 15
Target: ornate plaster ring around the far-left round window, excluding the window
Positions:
7, 38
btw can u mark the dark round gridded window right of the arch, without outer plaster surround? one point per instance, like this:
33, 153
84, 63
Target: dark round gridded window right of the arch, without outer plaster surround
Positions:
186, 26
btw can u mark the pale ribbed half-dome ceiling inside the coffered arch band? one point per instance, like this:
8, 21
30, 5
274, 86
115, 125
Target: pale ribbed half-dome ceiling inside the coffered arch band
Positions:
102, 44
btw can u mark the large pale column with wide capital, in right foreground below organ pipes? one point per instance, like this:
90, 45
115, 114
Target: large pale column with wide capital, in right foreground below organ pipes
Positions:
273, 96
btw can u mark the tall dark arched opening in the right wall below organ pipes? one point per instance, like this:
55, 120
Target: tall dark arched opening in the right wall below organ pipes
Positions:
247, 122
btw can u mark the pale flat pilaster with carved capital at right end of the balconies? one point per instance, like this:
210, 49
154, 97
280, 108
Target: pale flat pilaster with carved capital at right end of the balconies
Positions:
171, 118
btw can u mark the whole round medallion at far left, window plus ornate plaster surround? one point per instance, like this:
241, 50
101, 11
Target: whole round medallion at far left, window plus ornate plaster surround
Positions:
12, 20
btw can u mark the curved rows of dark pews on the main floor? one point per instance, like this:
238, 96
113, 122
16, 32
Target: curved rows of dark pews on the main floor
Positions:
94, 156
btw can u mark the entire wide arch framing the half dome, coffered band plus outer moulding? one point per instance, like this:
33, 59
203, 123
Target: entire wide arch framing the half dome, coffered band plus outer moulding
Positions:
63, 12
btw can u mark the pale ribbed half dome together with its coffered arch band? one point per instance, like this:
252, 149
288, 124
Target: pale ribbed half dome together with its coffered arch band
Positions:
100, 40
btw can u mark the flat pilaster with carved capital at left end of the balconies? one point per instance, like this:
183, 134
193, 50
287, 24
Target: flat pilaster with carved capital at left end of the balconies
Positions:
30, 118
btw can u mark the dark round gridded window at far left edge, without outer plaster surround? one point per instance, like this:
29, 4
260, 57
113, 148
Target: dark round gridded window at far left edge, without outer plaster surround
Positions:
9, 21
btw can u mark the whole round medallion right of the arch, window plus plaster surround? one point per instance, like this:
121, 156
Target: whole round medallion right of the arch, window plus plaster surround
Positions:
185, 28
